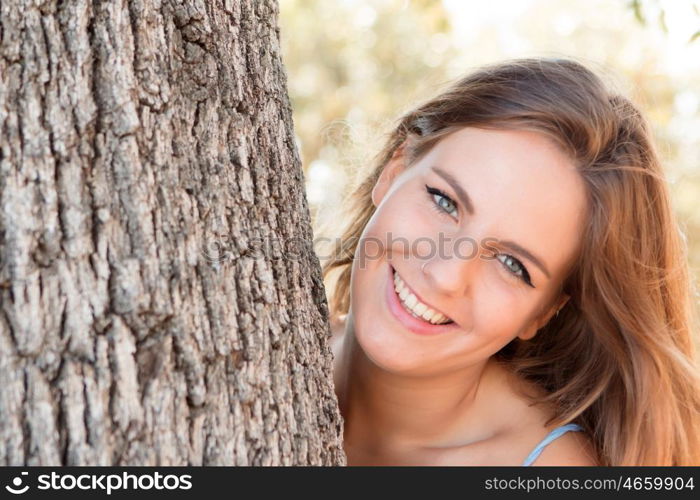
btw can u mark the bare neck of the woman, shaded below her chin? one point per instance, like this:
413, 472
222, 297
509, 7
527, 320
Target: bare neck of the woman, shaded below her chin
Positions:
387, 412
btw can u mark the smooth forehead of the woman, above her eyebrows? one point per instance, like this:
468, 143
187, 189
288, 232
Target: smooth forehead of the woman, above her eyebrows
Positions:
522, 187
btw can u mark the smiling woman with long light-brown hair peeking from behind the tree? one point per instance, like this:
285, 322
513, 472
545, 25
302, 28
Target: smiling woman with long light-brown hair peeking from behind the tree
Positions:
512, 284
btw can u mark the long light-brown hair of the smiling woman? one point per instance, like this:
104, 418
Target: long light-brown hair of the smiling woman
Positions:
619, 358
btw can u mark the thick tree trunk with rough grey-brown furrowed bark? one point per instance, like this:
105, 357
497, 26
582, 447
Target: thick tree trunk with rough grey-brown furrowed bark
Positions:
146, 153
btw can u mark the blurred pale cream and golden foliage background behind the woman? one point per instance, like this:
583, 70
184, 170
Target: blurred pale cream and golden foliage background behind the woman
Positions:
354, 65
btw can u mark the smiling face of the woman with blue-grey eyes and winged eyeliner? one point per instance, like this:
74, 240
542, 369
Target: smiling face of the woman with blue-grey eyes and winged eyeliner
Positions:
502, 189
